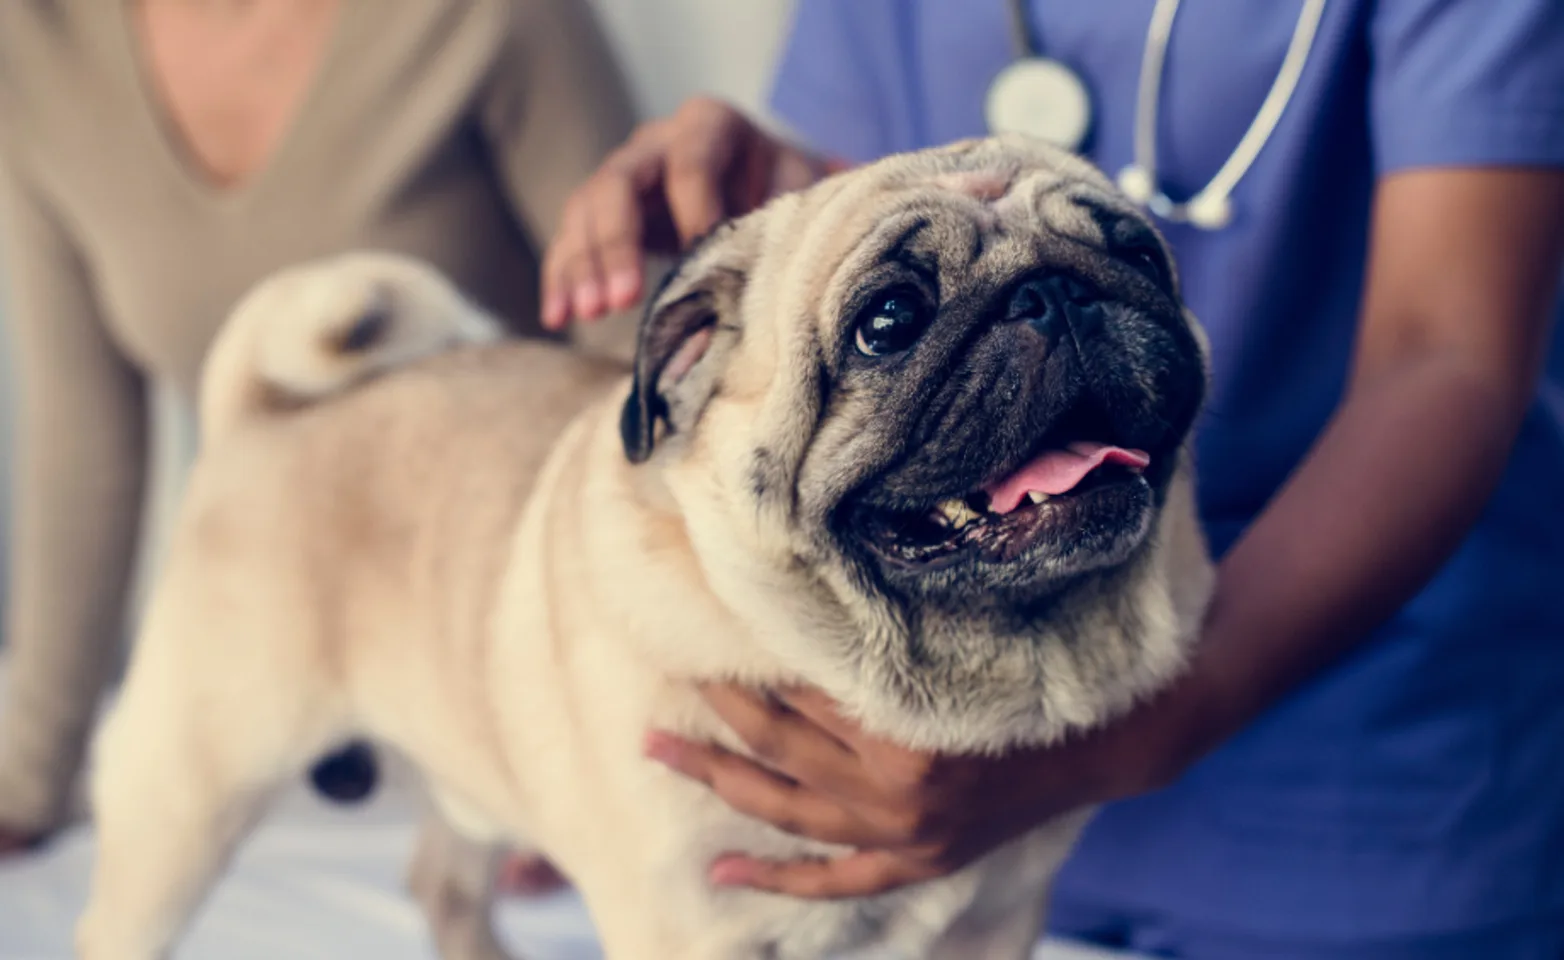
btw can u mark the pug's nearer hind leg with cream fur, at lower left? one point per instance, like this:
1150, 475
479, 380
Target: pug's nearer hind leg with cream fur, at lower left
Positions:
201, 739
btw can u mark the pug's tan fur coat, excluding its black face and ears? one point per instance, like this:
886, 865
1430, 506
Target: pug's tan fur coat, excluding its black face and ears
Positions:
459, 562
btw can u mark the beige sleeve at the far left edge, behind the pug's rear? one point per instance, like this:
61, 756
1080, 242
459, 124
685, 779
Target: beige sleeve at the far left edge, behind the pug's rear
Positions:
81, 450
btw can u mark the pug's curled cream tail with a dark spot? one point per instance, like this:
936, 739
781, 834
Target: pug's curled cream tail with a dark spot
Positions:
317, 329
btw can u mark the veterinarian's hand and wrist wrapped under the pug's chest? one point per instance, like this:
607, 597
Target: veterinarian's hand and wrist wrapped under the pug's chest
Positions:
913, 817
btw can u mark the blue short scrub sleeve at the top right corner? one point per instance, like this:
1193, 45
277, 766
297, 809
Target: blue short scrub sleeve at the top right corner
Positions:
1468, 84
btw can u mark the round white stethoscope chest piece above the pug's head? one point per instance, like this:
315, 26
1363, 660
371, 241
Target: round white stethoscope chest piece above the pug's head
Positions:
1042, 99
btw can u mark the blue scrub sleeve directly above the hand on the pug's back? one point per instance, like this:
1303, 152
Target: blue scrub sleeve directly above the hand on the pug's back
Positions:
847, 77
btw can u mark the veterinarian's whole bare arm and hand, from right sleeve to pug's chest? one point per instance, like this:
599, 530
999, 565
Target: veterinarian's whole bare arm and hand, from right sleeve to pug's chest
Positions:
1465, 270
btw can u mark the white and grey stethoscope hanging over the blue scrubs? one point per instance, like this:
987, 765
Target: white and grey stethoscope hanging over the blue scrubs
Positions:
1042, 98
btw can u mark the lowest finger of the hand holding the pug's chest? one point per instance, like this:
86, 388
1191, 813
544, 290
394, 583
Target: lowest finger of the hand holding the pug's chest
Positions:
853, 876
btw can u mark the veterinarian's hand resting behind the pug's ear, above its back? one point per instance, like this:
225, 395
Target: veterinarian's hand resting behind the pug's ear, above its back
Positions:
670, 184
